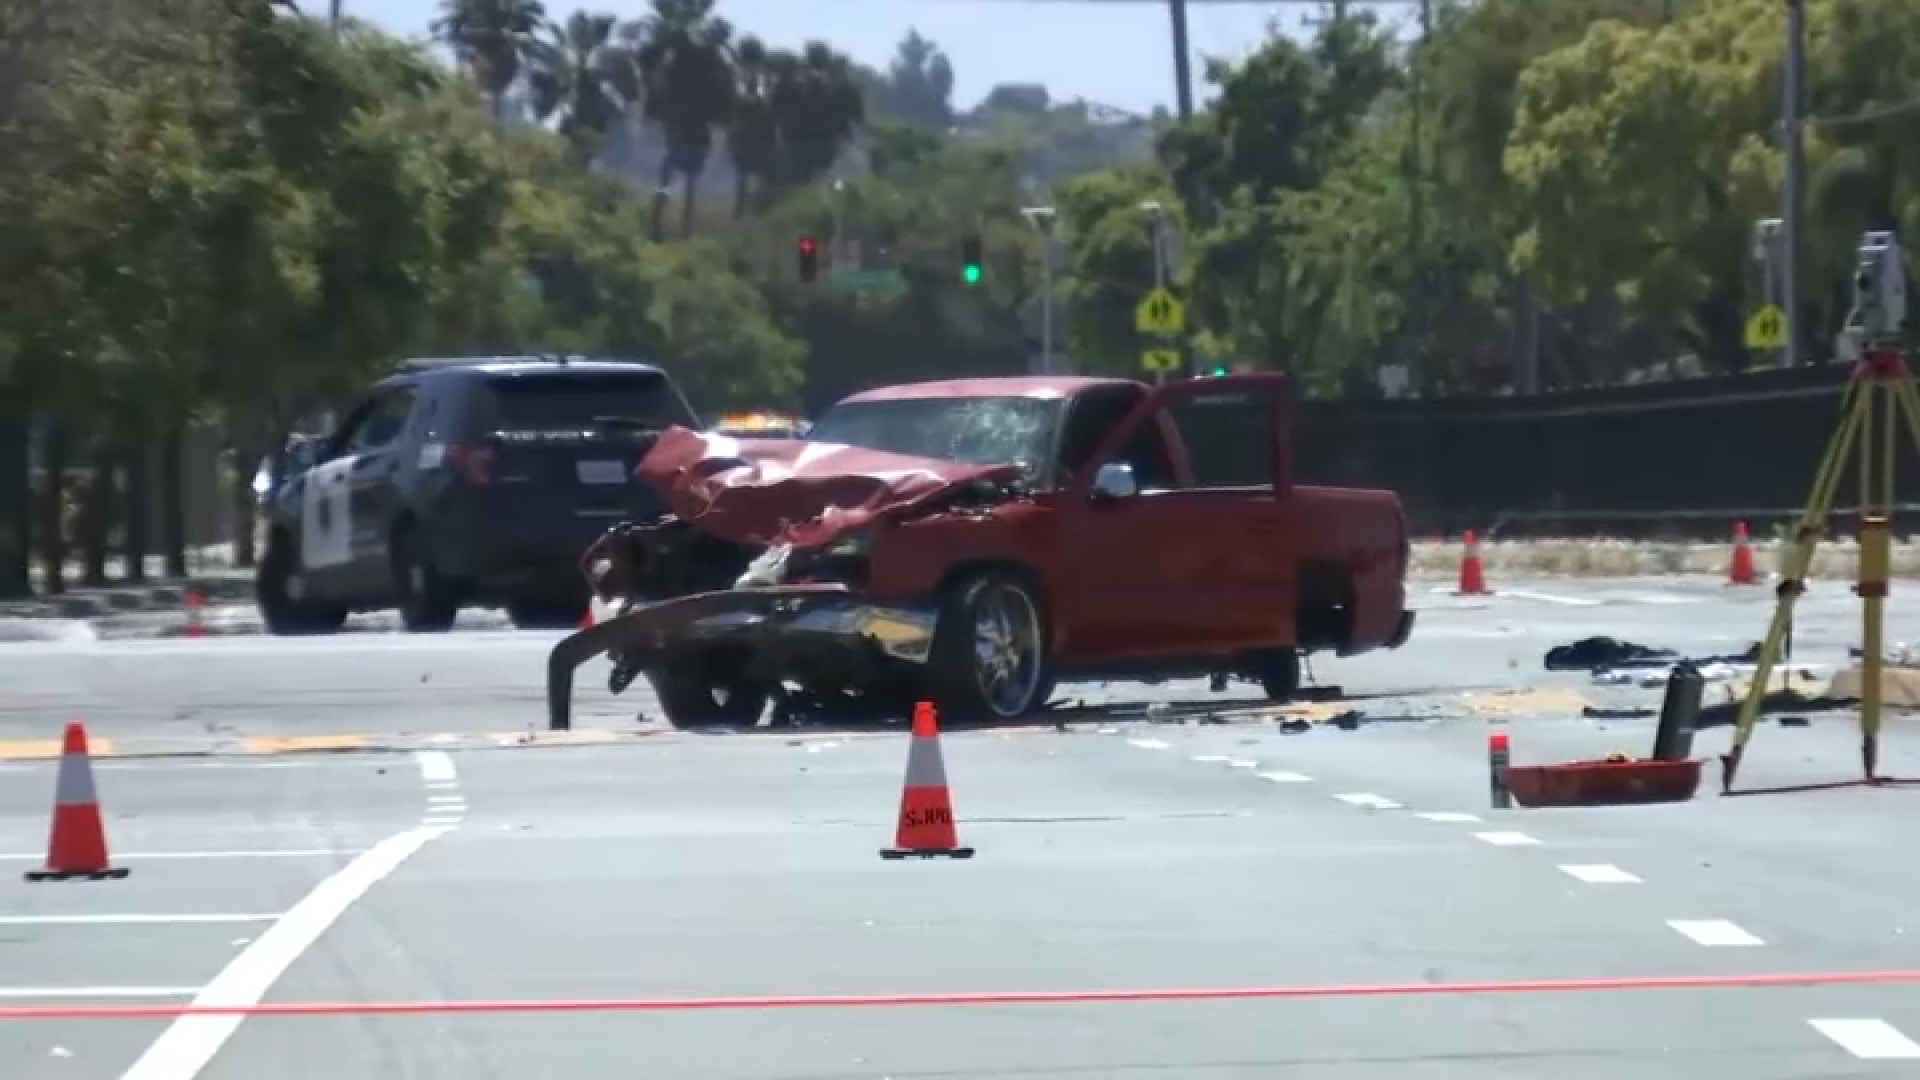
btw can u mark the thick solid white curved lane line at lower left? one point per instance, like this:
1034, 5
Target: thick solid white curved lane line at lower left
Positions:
191, 1043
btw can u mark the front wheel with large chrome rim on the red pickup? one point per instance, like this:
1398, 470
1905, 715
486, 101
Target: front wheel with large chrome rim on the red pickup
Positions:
990, 650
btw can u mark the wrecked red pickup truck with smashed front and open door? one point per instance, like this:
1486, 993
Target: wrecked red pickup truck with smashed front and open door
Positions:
980, 541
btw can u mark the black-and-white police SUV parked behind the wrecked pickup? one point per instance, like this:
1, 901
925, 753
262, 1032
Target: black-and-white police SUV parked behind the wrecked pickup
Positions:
456, 483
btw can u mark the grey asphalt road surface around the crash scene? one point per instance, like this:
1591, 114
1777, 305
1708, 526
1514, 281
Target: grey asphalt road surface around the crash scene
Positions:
1116, 854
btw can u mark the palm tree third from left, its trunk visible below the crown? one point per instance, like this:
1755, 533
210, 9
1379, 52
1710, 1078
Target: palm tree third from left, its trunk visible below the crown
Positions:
688, 89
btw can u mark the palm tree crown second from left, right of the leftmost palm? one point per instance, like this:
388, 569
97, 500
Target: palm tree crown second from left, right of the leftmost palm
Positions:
585, 76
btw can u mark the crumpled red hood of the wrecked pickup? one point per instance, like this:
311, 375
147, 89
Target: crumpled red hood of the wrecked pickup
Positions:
780, 491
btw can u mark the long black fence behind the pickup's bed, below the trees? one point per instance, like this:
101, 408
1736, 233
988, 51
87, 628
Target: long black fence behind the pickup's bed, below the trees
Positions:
1673, 458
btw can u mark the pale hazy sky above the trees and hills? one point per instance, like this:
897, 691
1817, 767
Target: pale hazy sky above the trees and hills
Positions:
1115, 55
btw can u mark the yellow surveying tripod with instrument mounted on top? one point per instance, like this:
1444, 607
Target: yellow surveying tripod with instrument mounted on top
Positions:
1879, 408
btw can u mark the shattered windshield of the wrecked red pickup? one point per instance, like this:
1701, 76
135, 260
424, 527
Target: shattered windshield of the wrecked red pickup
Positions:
974, 431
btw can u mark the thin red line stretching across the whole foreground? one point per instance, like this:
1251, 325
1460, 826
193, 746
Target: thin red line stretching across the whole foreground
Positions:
969, 998
